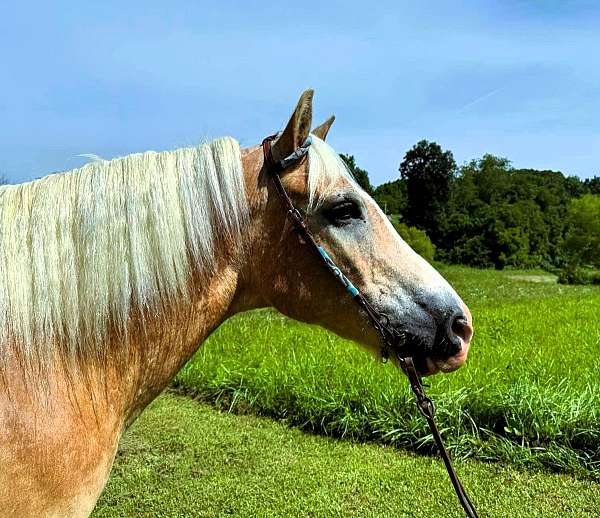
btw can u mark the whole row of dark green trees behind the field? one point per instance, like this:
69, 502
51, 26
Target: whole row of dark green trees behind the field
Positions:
486, 213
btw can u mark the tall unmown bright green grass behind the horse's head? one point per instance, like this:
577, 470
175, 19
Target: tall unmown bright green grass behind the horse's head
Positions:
529, 396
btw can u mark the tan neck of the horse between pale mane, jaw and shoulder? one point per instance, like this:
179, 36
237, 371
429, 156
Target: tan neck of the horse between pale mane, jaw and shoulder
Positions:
159, 343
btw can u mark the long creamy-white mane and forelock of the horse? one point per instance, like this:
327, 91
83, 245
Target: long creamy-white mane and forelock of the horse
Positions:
81, 250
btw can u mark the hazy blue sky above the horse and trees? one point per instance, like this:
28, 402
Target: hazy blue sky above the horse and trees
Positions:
514, 78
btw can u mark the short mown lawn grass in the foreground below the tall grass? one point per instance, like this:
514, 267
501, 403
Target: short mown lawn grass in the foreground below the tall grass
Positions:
185, 459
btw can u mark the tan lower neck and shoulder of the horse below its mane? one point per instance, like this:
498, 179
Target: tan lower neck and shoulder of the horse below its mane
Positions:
60, 427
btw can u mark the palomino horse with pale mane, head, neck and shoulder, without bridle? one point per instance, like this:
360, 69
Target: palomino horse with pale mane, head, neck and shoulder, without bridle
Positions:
113, 274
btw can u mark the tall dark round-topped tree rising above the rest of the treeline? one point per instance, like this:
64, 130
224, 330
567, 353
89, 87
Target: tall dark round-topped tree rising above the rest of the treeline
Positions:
428, 171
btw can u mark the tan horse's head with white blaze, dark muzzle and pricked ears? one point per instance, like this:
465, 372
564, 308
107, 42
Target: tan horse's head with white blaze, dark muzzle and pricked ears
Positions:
349, 224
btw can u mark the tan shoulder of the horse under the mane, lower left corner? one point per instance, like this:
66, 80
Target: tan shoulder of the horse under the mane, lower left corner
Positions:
56, 448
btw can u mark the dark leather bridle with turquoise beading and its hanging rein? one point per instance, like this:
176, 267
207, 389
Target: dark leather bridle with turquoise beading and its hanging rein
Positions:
392, 340
